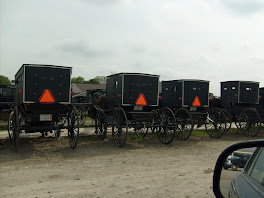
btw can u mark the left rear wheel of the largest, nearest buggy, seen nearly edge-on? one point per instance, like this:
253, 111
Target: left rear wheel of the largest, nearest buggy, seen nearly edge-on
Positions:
14, 128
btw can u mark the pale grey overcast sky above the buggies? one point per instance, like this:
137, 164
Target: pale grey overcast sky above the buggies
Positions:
215, 40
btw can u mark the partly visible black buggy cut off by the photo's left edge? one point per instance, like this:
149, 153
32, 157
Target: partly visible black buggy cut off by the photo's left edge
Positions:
7, 98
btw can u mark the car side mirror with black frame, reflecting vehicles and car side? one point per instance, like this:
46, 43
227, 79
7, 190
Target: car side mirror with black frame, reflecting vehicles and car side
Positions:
230, 164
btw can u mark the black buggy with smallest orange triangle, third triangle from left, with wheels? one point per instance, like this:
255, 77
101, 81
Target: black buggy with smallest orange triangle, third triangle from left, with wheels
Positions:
189, 99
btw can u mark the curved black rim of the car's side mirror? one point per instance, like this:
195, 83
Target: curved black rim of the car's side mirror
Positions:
223, 156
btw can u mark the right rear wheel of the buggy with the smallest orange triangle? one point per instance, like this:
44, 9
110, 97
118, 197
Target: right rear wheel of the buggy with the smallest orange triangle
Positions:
215, 124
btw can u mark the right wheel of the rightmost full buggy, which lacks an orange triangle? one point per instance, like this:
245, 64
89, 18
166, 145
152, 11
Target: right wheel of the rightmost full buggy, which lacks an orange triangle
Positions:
249, 122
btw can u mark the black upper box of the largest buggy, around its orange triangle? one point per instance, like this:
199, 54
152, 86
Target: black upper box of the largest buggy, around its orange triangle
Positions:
34, 79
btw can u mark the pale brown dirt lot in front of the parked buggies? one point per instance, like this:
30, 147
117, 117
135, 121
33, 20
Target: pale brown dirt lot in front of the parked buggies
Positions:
44, 167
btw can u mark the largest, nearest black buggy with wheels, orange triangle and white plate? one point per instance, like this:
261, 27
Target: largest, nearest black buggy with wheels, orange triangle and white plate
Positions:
42, 99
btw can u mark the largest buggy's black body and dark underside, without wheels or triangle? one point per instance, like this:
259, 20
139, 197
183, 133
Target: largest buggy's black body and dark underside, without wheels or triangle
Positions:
32, 81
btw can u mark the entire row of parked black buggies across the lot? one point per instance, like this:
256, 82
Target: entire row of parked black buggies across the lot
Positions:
41, 101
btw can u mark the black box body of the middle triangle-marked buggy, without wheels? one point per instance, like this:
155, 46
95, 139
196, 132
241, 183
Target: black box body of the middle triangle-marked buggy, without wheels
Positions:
124, 89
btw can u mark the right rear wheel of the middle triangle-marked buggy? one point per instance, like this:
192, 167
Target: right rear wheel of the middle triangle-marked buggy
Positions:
166, 125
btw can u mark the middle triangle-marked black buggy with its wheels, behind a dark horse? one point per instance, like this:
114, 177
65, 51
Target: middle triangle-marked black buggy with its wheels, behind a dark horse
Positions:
132, 101
